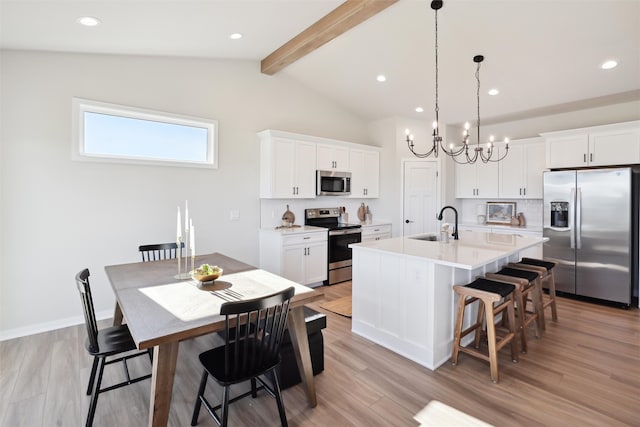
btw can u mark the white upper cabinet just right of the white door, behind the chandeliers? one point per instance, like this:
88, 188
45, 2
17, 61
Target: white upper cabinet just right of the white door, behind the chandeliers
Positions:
477, 181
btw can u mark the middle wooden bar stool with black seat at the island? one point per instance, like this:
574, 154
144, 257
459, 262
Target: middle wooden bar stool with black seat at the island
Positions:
528, 288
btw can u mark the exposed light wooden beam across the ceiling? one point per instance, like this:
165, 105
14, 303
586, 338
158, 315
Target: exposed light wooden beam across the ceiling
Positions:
346, 16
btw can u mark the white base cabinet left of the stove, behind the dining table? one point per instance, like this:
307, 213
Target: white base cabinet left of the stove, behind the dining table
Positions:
297, 256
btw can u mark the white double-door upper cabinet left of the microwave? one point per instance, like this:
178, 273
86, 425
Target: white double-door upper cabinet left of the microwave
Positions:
287, 167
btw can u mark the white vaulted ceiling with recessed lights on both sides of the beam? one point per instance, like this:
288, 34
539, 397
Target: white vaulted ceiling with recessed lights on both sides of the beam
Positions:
543, 55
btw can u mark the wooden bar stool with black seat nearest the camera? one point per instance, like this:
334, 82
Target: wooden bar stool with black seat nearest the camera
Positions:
487, 293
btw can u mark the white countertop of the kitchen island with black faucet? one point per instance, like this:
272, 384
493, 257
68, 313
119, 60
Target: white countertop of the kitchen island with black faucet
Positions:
474, 249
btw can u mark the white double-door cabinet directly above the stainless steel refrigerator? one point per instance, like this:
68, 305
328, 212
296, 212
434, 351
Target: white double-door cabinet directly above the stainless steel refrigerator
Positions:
608, 145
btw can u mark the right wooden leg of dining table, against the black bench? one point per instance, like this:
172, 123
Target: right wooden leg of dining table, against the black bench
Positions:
300, 343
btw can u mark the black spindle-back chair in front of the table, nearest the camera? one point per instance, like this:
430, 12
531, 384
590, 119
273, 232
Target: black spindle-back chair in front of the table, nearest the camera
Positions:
249, 353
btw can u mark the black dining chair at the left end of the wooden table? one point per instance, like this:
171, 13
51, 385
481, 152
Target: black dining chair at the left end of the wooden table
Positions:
104, 343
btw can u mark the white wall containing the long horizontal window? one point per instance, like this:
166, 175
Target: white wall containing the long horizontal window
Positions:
60, 216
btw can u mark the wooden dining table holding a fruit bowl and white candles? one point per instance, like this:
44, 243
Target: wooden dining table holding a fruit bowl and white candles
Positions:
161, 311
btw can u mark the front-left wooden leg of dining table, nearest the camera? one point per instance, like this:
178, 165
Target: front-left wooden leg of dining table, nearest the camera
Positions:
165, 357
